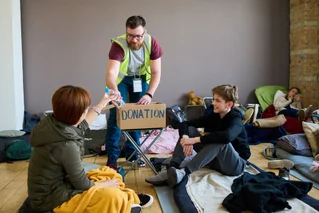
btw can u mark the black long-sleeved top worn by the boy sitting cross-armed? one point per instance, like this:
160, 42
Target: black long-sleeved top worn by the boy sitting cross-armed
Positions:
229, 129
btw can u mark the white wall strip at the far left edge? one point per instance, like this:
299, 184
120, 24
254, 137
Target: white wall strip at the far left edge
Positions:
11, 74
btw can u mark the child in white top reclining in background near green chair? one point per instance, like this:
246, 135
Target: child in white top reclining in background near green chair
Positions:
290, 104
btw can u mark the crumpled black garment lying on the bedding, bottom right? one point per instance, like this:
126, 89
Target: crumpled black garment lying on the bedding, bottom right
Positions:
264, 193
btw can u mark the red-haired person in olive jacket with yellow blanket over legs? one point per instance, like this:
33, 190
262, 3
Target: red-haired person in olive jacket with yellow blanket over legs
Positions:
56, 177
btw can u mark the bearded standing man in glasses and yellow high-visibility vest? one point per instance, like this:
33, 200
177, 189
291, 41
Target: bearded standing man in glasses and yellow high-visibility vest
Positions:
134, 69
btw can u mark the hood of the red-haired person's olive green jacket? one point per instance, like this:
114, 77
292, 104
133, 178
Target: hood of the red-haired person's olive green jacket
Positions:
54, 131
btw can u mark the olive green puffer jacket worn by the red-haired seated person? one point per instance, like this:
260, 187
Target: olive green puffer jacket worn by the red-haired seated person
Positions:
55, 171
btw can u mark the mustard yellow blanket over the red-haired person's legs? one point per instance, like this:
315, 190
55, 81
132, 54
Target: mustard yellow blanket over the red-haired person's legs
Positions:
100, 199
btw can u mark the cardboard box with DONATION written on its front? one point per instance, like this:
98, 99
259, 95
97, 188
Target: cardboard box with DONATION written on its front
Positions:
132, 116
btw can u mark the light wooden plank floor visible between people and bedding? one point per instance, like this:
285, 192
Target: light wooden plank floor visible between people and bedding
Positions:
13, 178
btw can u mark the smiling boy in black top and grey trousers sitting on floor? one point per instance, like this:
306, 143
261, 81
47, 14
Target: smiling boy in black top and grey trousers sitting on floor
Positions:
224, 148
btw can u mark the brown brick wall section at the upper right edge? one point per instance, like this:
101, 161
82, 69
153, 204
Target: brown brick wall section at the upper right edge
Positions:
304, 46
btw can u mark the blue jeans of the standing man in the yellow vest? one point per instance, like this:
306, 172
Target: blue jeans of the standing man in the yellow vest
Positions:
113, 132
